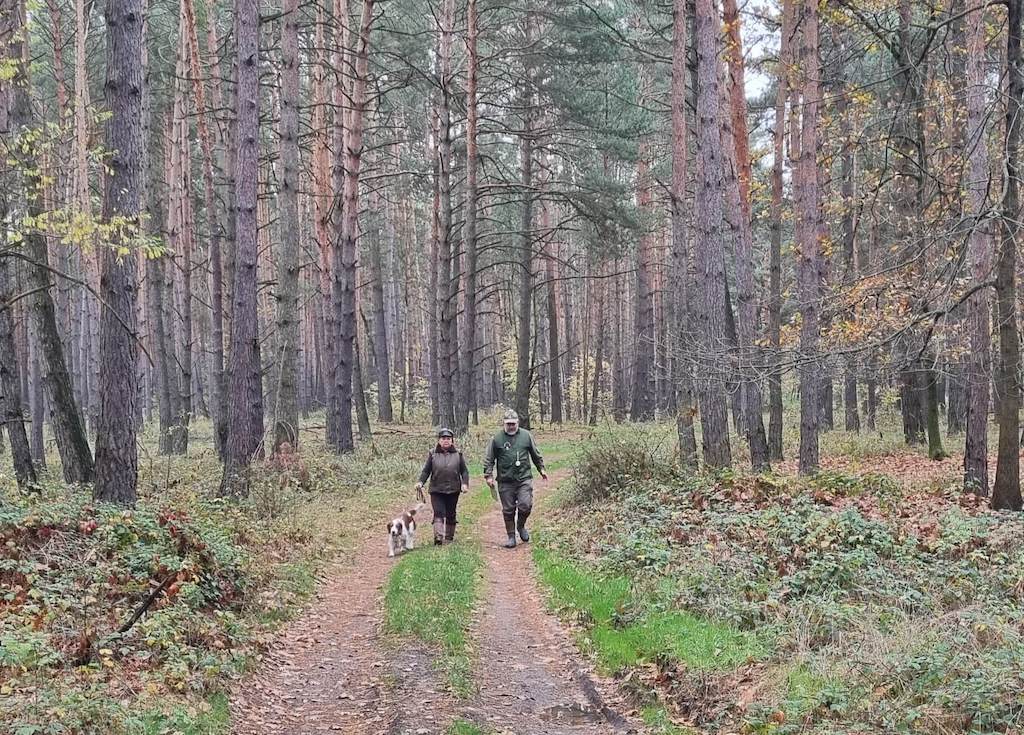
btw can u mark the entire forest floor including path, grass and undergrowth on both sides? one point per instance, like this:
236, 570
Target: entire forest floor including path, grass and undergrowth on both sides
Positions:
874, 598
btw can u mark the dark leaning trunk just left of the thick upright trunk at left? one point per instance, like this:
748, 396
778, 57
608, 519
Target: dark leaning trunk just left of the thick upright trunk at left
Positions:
66, 418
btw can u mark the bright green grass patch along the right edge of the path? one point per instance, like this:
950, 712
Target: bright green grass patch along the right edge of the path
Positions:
623, 632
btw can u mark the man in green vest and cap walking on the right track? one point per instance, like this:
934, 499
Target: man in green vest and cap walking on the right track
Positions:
507, 462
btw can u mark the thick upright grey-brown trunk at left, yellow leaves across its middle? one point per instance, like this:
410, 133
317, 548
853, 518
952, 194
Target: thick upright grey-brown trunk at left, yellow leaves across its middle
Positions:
117, 455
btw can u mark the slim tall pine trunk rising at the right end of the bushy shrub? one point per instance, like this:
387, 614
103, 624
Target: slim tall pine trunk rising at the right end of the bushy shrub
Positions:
680, 297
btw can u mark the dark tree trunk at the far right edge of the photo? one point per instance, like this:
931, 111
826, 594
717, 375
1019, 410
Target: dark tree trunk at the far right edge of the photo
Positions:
1007, 490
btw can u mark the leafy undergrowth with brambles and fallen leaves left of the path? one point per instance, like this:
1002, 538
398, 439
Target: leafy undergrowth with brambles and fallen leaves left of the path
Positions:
223, 577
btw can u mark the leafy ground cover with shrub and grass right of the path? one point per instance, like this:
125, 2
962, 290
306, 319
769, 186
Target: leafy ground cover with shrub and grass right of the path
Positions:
851, 603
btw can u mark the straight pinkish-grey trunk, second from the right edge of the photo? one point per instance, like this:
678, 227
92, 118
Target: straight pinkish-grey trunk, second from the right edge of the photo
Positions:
980, 246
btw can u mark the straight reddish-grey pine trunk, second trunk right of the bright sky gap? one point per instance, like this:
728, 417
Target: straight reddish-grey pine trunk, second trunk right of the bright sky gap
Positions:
809, 265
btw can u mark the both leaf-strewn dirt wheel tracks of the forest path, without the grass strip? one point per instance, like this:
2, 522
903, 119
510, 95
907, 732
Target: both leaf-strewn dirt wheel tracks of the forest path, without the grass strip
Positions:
331, 672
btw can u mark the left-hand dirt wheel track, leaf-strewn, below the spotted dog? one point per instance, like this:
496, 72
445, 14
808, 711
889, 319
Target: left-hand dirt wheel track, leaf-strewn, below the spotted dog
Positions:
329, 672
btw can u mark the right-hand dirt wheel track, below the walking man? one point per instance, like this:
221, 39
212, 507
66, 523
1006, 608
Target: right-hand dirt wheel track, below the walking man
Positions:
532, 679
